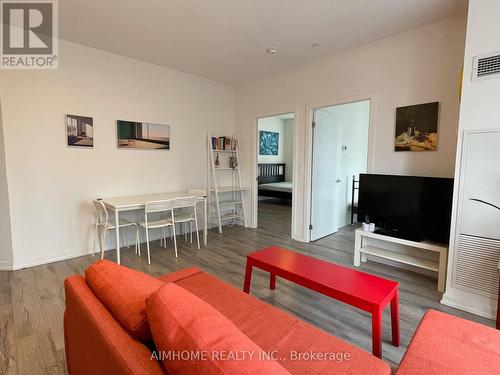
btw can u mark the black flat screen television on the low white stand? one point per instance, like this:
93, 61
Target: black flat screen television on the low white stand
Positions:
409, 207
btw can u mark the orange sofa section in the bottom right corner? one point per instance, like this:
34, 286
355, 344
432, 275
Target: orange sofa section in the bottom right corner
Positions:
446, 345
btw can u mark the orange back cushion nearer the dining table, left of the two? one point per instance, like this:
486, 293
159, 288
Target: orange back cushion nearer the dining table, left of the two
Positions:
123, 291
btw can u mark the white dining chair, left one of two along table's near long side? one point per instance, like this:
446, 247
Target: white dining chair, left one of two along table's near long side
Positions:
159, 215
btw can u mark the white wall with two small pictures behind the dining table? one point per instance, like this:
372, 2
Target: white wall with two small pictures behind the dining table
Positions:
51, 186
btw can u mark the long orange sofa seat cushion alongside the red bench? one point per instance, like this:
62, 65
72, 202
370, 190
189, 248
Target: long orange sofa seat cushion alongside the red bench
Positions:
301, 347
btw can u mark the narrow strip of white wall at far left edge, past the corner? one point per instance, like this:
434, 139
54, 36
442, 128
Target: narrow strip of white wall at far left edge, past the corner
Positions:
5, 235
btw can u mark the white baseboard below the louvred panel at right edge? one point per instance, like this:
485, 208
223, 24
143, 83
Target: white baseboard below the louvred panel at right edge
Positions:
469, 302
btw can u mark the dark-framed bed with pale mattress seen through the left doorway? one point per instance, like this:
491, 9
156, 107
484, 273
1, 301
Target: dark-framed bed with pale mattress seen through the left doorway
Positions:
271, 181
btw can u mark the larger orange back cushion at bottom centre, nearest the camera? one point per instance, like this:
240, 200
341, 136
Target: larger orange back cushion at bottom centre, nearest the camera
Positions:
183, 323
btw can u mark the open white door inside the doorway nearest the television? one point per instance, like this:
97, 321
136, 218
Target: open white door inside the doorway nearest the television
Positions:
325, 175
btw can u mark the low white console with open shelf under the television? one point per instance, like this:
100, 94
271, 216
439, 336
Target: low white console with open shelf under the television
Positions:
362, 248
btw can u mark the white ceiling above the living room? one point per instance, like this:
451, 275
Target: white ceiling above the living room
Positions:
226, 40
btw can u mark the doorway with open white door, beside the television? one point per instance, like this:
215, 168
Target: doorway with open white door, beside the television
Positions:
339, 155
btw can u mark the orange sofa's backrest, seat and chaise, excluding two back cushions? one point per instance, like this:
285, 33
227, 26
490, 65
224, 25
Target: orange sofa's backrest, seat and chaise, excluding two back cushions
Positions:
96, 343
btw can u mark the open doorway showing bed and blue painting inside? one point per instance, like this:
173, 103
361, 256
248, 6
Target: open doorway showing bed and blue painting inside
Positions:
275, 144
